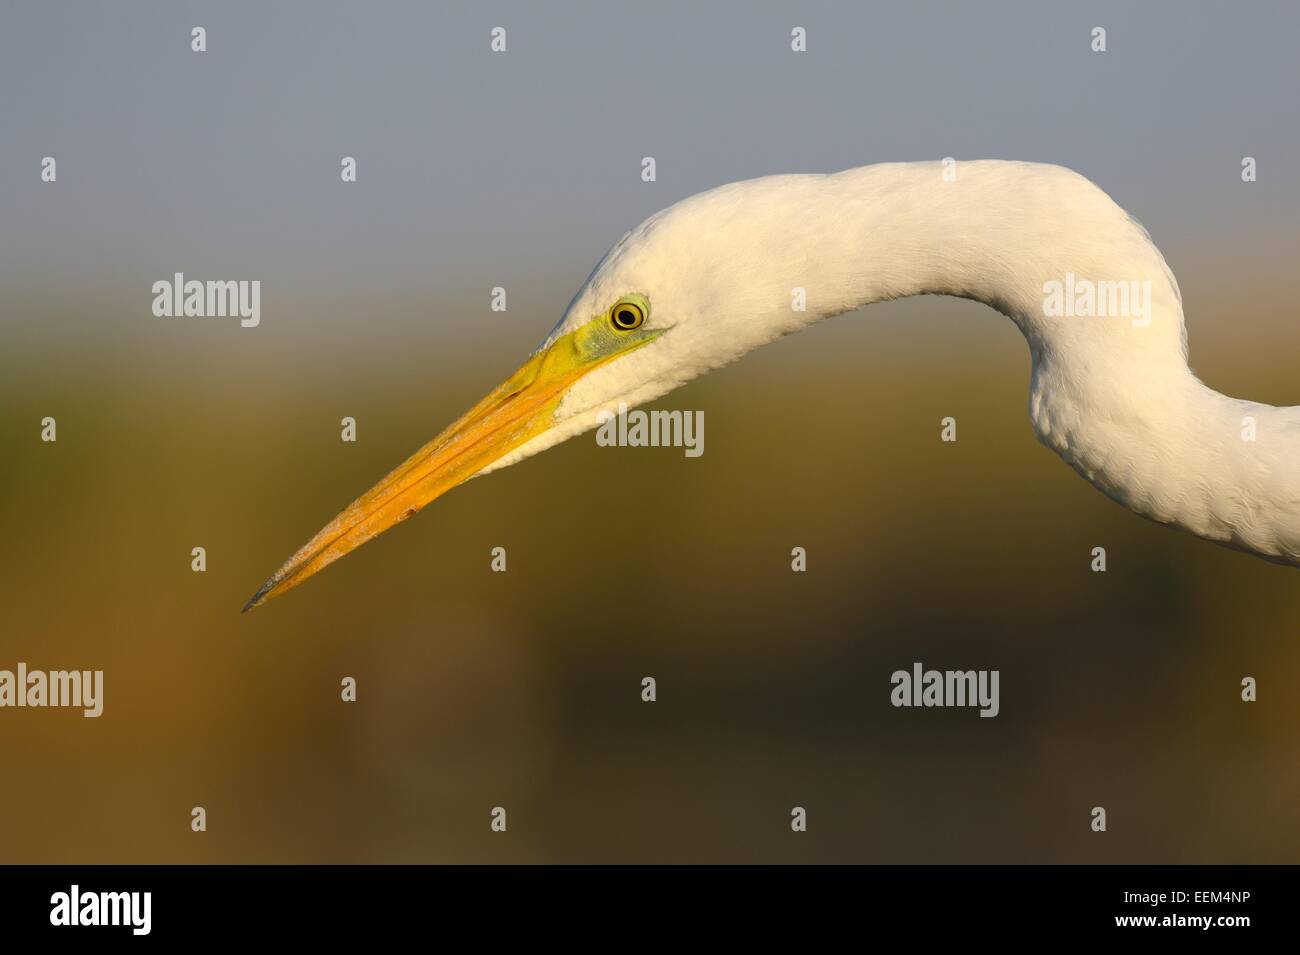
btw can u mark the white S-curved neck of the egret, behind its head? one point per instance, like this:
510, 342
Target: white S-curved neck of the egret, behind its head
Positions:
1102, 312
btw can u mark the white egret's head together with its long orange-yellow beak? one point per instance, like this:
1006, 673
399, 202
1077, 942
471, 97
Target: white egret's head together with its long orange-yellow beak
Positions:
691, 289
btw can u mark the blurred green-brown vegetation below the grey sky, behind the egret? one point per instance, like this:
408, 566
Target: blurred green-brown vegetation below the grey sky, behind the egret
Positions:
523, 689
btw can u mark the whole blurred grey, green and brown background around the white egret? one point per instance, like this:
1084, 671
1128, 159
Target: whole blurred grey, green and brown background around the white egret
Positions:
523, 689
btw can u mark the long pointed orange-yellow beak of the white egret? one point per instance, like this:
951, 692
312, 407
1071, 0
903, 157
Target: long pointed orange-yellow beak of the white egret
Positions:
515, 413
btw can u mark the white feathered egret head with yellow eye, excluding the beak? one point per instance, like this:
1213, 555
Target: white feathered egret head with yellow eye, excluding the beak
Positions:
688, 290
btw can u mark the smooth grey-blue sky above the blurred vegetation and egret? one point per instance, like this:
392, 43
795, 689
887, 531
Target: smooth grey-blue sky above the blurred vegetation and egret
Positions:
479, 170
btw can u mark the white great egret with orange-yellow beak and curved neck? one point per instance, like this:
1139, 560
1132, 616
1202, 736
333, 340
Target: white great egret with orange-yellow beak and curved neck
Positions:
716, 276
